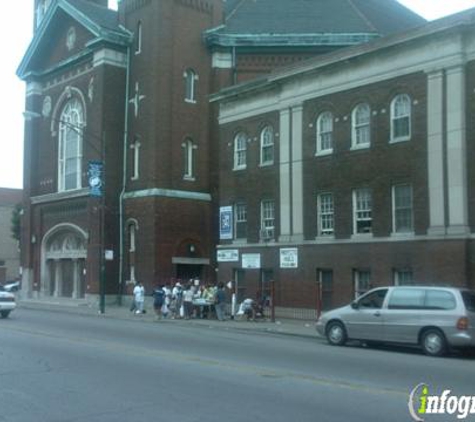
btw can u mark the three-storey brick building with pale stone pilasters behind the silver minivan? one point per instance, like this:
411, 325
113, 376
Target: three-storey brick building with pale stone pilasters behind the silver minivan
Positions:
353, 170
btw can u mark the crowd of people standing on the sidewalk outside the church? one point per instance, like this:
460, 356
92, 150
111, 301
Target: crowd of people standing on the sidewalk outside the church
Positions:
183, 301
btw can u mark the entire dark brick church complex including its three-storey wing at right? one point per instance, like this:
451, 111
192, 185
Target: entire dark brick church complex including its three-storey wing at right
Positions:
317, 144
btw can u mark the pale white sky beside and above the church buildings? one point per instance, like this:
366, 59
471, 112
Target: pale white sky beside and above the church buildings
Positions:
16, 29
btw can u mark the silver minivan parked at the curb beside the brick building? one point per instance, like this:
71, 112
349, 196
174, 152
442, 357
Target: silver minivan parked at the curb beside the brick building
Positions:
434, 318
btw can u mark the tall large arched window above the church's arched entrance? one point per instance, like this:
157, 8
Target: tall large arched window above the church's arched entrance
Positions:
71, 123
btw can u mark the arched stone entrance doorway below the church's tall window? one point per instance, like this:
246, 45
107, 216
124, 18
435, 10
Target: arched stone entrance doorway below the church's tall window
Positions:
63, 263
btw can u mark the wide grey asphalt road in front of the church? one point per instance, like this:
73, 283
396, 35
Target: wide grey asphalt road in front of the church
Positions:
60, 367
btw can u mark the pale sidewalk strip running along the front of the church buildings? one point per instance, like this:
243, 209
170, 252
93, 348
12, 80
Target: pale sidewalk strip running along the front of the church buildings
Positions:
288, 327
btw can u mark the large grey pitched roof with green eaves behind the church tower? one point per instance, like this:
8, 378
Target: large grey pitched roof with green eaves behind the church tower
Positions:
338, 18
